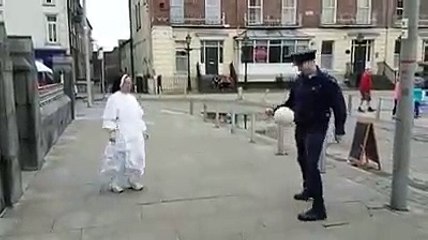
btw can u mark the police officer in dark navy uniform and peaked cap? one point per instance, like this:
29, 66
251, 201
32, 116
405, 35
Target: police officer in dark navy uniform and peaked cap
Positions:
313, 96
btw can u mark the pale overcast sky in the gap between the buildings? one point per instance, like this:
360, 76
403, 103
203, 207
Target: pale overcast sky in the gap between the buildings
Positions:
109, 20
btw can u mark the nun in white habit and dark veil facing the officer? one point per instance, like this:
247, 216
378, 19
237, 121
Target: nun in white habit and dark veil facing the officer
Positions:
124, 159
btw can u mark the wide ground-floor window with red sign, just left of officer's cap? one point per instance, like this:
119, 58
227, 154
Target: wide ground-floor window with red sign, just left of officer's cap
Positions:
273, 51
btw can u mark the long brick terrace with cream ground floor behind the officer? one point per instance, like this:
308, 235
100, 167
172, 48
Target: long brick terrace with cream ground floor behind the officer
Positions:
349, 36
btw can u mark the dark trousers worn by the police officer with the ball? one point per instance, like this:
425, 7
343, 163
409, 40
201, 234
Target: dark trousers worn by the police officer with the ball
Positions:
309, 147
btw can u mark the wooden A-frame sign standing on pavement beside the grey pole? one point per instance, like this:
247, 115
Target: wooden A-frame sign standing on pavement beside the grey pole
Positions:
364, 145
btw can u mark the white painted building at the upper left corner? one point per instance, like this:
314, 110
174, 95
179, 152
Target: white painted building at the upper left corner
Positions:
45, 21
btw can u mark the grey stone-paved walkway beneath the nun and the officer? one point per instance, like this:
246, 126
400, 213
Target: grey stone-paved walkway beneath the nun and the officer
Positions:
202, 183
